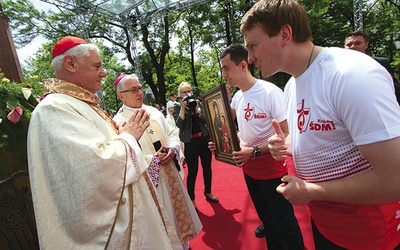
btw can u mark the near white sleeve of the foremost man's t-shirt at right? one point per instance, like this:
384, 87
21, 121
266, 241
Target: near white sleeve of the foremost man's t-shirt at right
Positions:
368, 96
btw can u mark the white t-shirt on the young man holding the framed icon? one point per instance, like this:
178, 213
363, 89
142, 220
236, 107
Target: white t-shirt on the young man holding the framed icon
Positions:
255, 109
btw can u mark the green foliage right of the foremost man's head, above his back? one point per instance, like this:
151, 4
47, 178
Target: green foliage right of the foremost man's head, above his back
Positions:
332, 20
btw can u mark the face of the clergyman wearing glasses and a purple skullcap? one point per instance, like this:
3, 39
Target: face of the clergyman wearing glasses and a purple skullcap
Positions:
132, 95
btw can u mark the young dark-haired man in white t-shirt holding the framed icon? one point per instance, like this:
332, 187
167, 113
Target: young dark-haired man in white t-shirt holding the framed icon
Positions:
254, 105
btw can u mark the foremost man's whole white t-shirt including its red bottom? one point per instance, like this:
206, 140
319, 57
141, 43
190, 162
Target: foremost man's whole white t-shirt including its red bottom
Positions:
344, 99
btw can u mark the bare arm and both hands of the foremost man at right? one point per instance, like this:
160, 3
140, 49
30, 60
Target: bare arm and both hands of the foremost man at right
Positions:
376, 186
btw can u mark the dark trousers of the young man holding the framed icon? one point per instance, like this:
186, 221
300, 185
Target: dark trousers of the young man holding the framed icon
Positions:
276, 213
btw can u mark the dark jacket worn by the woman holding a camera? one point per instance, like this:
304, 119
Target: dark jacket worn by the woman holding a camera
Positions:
185, 126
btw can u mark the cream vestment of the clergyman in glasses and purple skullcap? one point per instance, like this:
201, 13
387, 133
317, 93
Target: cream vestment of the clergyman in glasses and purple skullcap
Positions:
171, 189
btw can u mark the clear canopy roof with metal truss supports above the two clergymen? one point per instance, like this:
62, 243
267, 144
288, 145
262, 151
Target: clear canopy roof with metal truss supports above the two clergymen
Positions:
124, 11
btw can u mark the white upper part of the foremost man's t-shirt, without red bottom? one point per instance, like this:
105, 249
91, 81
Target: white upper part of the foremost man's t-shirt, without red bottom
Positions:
344, 99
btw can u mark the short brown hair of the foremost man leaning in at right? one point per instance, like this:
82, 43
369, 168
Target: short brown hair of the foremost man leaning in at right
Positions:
272, 15
